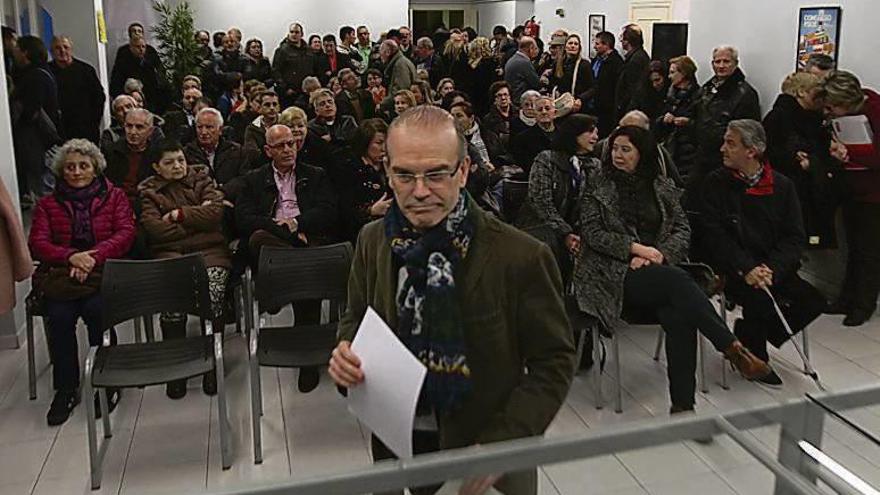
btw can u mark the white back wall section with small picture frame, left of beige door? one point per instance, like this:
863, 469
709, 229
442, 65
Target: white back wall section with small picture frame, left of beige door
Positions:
576, 12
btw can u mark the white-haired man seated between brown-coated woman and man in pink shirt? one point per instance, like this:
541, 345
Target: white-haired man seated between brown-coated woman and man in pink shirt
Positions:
225, 158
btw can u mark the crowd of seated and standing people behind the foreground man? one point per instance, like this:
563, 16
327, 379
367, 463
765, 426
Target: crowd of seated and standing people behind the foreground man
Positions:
632, 168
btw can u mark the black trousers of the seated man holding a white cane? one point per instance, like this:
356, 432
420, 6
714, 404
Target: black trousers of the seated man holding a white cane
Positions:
799, 301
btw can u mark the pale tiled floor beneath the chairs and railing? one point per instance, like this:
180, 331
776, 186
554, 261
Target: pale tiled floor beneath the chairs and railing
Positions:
163, 446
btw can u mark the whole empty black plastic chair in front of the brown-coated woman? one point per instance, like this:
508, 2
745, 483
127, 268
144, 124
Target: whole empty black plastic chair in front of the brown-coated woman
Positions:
131, 290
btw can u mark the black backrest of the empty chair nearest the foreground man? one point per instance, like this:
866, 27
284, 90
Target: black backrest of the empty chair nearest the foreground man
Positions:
288, 274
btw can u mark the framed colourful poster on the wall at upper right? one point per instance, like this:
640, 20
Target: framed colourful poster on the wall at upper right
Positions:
818, 32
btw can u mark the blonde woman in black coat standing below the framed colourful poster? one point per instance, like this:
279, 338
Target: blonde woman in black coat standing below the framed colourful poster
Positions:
798, 146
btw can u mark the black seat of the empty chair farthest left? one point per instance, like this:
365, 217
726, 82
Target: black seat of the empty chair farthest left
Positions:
136, 365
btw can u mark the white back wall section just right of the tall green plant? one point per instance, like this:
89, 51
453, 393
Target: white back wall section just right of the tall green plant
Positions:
268, 20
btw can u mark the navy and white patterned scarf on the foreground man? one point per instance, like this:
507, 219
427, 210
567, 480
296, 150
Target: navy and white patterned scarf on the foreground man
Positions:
429, 317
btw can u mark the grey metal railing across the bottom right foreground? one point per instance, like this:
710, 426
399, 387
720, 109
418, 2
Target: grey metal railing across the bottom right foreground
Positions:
796, 466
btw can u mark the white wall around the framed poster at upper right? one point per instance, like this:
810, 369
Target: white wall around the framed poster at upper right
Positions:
766, 36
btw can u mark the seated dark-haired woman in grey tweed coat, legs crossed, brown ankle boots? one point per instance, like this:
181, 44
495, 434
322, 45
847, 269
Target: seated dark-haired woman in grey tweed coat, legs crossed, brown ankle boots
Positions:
634, 231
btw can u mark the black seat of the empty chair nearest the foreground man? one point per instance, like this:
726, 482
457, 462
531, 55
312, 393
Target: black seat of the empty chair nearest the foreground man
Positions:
293, 347
